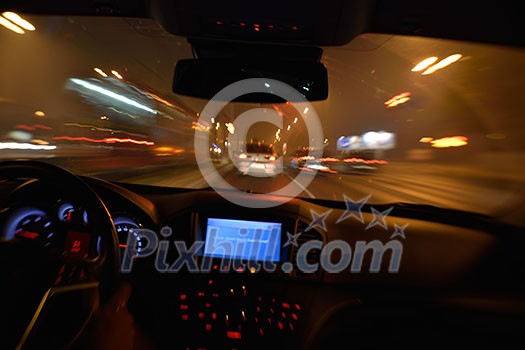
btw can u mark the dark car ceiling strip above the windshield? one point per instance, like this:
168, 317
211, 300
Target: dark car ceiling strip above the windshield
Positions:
327, 22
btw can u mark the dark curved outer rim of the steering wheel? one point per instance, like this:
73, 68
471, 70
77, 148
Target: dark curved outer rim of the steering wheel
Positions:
105, 267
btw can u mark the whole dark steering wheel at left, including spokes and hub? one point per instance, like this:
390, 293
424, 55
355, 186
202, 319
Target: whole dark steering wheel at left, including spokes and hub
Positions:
53, 289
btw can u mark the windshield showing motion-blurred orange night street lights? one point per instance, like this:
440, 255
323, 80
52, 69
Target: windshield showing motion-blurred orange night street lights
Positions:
408, 119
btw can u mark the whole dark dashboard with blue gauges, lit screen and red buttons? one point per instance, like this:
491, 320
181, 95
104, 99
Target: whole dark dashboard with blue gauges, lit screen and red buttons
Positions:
222, 276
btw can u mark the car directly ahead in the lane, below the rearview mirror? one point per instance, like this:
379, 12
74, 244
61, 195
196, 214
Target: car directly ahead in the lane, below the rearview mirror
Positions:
259, 159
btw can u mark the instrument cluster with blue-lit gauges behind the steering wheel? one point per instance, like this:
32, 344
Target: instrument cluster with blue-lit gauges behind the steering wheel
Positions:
40, 218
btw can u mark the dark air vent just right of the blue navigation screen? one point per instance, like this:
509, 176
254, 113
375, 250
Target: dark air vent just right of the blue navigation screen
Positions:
313, 256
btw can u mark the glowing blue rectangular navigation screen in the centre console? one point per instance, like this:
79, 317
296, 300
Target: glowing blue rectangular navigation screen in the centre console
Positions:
243, 240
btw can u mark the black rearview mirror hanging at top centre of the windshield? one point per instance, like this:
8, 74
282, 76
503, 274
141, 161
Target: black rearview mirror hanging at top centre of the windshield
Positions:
206, 77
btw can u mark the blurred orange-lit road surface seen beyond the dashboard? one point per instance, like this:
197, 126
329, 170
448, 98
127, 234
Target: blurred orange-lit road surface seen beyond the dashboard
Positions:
485, 190
